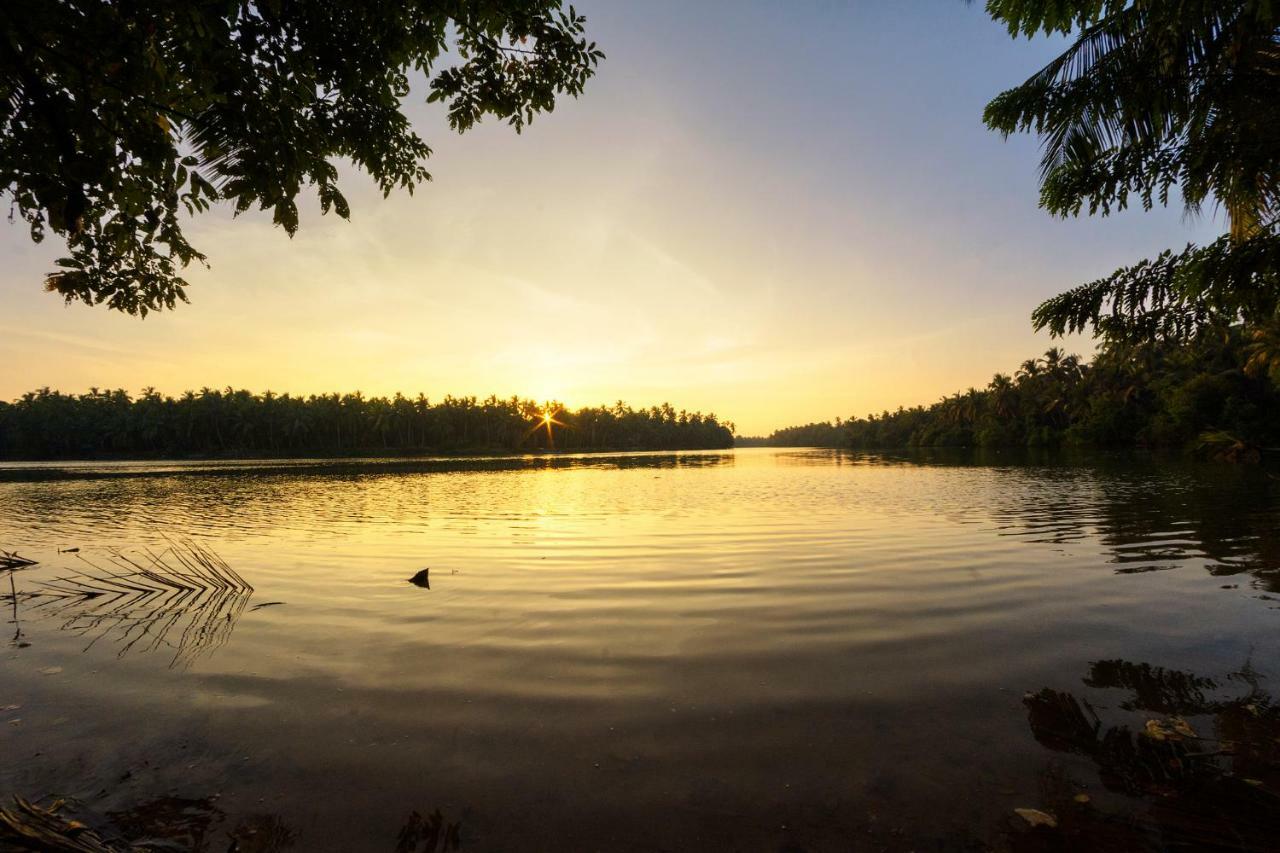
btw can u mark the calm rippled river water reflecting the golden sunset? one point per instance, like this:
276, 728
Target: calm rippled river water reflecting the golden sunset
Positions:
756, 650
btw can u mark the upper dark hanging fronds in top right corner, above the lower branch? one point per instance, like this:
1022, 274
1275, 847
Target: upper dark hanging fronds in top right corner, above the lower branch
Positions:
1153, 95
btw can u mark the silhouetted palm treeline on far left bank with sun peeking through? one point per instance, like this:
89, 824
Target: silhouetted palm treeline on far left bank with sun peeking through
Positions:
49, 425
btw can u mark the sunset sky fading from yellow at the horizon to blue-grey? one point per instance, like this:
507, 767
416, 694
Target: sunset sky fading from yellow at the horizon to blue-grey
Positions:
779, 211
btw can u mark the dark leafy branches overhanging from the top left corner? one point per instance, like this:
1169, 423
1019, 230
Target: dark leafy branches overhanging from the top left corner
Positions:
118, 117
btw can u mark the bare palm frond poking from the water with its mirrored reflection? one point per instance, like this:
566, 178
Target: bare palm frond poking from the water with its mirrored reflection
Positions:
185, 599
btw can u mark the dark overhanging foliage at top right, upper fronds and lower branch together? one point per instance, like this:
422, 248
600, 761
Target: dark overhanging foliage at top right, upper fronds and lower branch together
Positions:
1155, 97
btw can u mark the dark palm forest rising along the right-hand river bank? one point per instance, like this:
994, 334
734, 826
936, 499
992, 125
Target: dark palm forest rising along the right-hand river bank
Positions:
1217, 394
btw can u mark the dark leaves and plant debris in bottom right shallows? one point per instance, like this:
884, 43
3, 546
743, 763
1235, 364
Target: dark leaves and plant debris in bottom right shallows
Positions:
1206, 768
